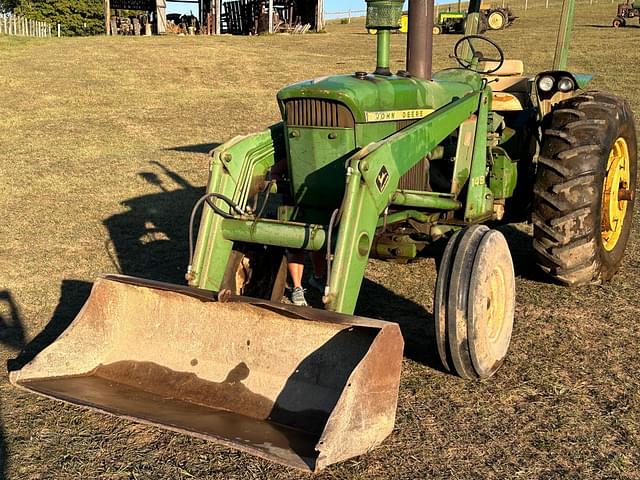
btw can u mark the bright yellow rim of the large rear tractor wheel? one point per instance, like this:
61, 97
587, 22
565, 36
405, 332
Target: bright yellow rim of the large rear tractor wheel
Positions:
616, 196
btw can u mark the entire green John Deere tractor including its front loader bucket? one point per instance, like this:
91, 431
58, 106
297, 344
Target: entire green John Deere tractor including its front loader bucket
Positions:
363, 165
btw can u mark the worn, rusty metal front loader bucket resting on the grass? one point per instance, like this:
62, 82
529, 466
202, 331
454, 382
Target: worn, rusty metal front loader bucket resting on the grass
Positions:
298, 386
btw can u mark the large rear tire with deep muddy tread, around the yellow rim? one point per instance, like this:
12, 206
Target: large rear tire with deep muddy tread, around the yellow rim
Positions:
578, 136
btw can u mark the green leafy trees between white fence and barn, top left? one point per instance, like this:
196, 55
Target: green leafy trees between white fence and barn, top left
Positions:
76, 17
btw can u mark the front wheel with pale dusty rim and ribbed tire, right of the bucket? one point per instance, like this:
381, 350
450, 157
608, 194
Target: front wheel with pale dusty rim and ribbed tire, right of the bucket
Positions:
474, 302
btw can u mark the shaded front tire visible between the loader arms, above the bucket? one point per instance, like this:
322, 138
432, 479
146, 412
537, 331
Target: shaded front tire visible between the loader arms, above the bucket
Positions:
256, 271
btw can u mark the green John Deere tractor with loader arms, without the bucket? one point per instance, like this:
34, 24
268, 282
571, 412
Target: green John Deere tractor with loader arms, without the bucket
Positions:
384, 165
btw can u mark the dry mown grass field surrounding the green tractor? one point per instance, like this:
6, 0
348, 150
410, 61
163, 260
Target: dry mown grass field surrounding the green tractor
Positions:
103, 147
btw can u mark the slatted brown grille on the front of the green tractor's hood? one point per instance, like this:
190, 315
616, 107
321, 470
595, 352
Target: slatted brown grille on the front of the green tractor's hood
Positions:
311, 112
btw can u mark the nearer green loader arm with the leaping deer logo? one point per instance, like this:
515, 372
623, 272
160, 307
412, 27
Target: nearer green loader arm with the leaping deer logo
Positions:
373, 175
